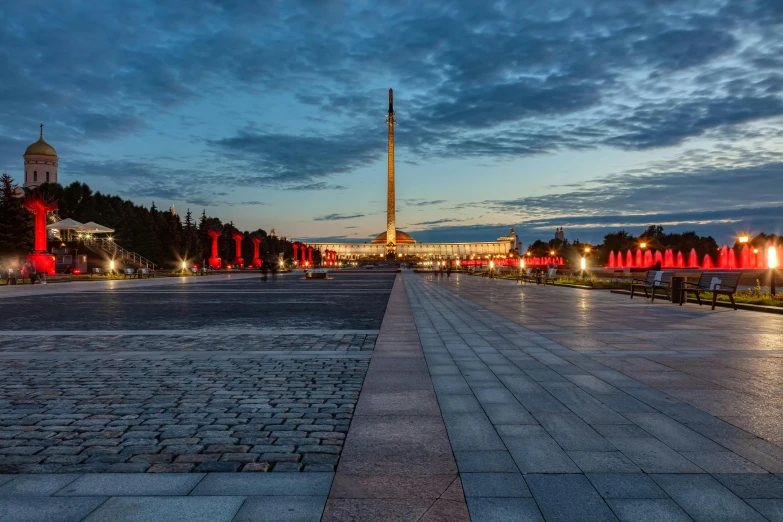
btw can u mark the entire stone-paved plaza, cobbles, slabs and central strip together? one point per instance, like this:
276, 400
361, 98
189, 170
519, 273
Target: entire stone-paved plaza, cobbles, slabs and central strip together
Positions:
382, 396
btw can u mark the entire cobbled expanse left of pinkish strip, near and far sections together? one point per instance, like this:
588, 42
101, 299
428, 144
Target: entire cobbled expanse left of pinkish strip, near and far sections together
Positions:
265, 396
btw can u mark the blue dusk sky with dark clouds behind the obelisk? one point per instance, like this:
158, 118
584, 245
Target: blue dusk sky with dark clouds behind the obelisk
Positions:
589, 114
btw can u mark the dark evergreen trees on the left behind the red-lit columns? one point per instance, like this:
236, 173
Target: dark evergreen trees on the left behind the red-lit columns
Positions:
159, 235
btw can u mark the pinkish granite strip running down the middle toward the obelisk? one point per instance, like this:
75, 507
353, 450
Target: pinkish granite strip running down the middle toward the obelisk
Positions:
397, 463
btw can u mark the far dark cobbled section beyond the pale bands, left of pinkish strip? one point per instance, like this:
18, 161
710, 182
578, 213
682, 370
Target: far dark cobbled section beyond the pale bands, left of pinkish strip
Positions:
350, 301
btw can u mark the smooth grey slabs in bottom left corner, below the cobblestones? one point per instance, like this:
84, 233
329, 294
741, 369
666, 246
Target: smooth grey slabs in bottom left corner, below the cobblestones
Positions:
142, 497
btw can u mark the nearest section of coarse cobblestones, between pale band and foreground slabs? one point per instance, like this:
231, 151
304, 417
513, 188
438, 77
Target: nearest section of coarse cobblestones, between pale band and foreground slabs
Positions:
221, 414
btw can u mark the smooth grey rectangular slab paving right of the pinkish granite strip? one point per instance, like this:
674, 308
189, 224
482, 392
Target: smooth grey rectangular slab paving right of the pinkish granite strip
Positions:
565, 404
